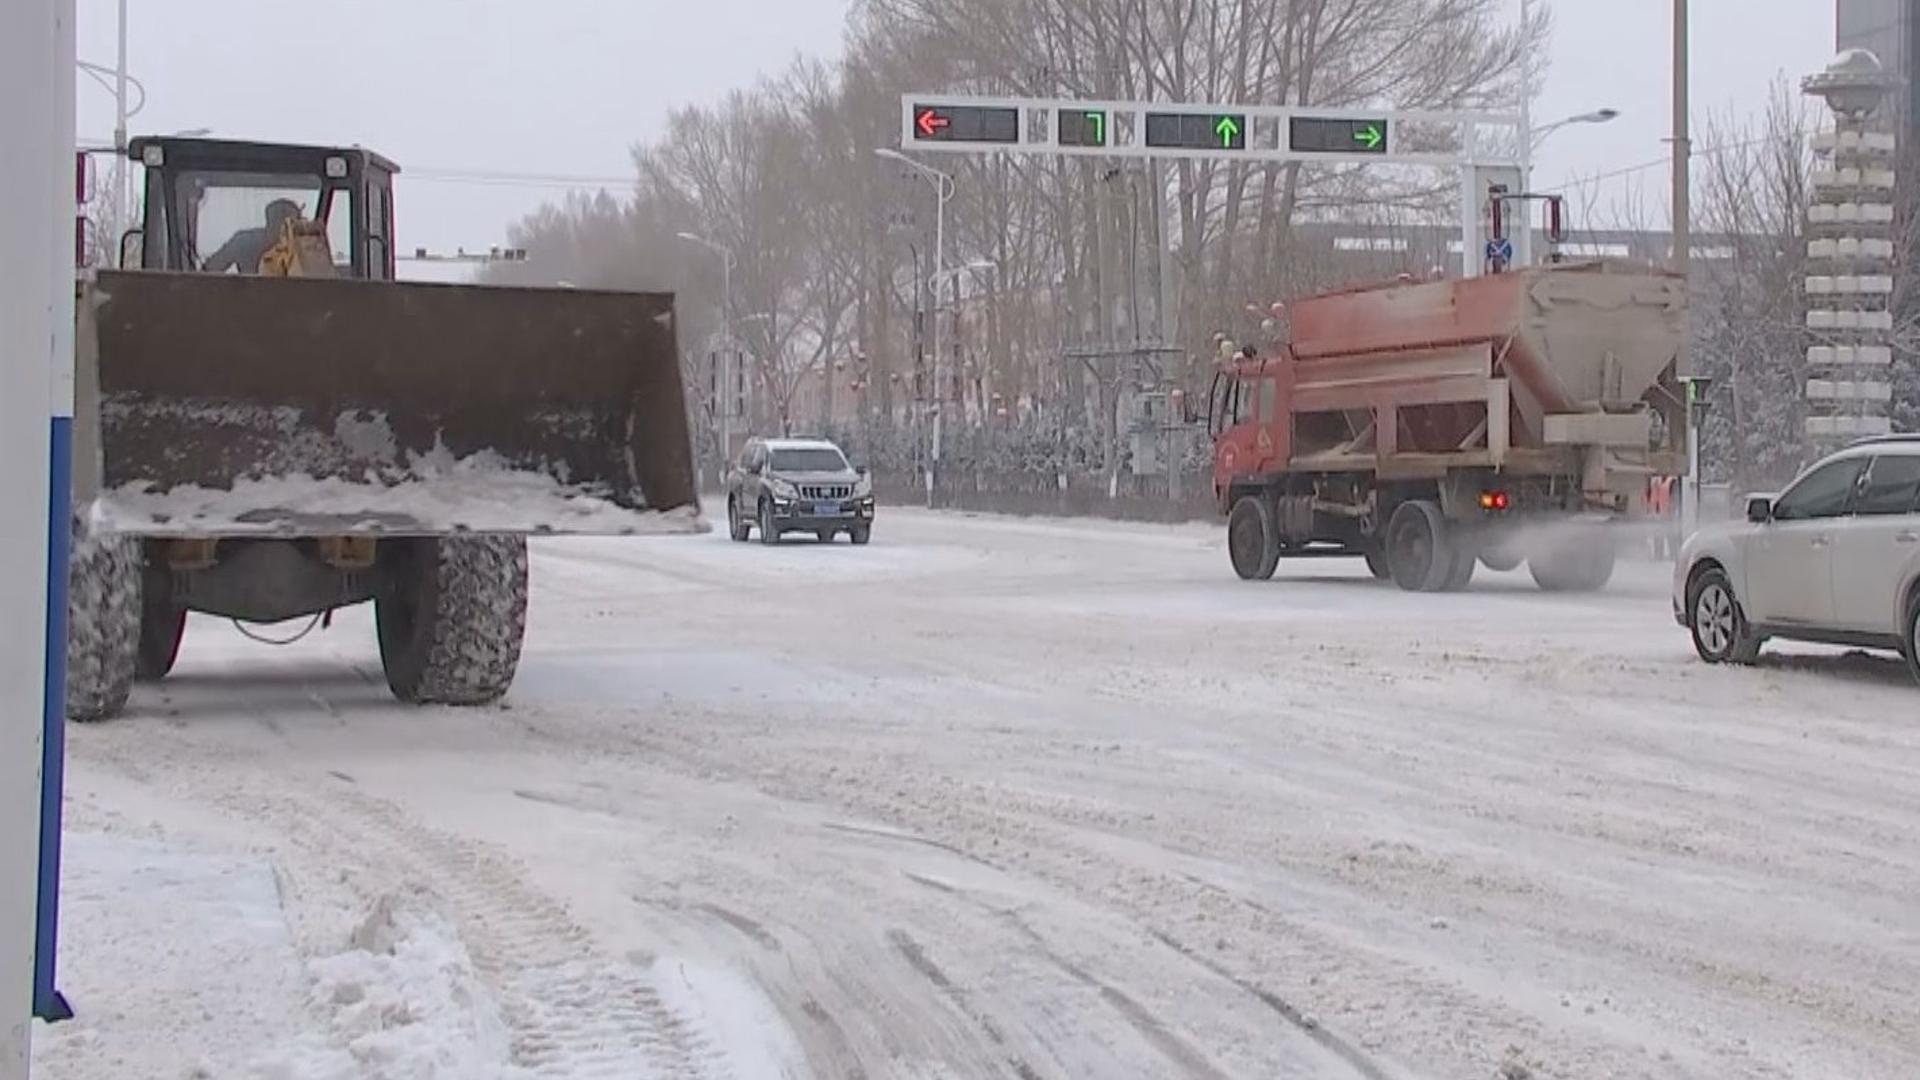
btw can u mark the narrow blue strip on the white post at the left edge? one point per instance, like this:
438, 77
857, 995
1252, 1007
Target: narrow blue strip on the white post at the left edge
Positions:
47, 1002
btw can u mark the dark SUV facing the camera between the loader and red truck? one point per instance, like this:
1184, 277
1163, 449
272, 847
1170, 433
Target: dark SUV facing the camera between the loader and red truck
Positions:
798, 485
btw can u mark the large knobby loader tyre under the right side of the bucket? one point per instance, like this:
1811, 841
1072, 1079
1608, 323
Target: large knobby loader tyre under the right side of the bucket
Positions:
452, 618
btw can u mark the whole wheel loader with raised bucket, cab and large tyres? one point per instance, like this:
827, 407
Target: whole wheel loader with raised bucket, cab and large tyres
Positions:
270, 428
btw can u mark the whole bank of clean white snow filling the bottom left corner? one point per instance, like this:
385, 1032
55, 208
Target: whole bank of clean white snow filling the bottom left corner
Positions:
180, 964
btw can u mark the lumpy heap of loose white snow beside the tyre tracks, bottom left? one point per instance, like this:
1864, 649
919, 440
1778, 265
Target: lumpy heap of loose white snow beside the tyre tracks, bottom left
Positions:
400, 1004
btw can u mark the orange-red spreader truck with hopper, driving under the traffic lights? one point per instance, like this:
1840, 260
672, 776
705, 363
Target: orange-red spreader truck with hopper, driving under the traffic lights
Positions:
1441, 426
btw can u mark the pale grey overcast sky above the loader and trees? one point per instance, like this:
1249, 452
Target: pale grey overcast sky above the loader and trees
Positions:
564, 87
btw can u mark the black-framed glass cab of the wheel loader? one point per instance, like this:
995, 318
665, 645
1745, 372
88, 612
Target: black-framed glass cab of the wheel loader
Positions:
204, 193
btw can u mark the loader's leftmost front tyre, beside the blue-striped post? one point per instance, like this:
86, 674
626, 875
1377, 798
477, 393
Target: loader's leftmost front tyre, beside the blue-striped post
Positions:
103, 624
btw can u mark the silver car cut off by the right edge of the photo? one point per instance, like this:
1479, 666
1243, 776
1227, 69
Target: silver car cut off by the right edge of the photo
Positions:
1835, 558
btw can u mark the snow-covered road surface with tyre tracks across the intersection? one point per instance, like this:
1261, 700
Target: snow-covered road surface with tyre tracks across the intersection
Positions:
1005, 798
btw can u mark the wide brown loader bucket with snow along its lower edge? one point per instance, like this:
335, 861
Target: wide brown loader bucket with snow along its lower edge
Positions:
228, 406
